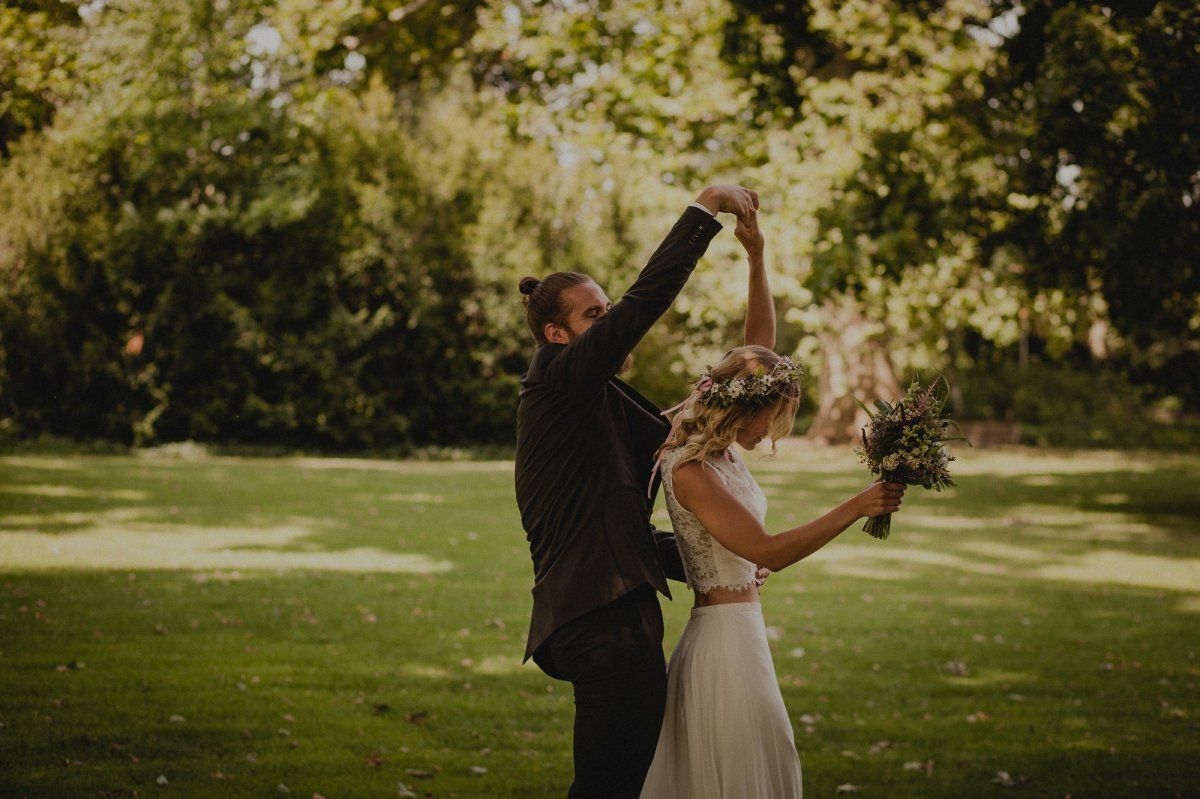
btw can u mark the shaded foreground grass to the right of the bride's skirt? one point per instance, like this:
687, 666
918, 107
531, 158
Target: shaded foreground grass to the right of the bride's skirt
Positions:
1077, 690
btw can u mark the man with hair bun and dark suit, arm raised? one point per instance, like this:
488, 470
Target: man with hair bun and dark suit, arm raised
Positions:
586, 444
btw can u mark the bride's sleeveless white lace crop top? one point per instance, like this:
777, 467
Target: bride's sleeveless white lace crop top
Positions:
706, 563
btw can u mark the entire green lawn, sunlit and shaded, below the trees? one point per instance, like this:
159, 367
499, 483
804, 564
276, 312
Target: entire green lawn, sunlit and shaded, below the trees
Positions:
254, 628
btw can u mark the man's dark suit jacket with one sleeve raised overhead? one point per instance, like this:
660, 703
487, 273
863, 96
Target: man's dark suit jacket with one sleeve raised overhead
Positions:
586, 447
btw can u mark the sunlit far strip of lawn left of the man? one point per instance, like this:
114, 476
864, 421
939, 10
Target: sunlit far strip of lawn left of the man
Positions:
122, 513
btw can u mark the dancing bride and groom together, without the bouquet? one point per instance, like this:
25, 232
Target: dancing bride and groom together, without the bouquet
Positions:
713, 725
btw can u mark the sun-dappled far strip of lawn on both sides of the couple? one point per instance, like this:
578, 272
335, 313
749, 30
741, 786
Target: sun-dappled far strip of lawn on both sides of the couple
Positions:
1087, 519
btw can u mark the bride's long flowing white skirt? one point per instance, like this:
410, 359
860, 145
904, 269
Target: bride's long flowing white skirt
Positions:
725, 734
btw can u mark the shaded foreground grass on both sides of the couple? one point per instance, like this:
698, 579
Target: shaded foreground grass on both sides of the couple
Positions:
1072, 690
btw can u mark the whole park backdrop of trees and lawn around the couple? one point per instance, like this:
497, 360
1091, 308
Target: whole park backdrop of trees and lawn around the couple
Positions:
261, 344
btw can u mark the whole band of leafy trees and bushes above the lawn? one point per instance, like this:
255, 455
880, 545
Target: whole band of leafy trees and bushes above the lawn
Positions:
299, 223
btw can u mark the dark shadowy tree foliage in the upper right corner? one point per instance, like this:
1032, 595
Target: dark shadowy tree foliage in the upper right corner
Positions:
1099, 110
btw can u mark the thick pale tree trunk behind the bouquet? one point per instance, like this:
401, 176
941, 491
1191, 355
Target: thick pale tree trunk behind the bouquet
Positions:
854, 364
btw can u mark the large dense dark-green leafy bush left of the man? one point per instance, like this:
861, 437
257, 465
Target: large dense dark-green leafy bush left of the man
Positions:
220, 242
